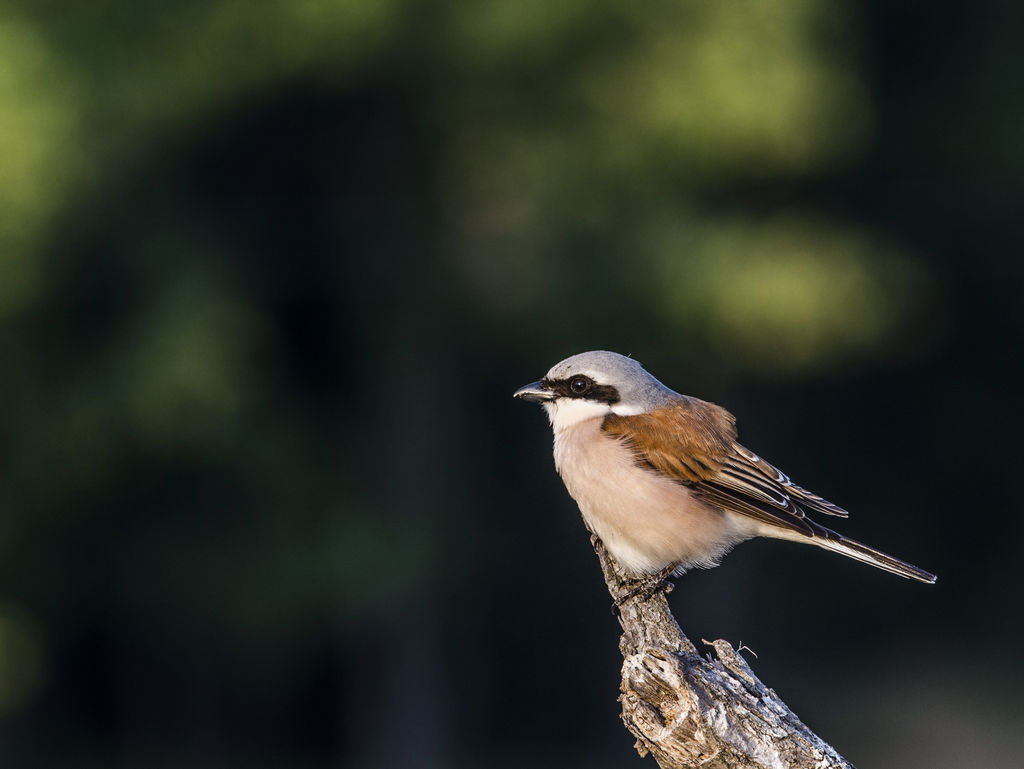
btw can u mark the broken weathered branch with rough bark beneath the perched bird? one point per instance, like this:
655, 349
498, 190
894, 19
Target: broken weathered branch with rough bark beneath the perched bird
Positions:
691, 711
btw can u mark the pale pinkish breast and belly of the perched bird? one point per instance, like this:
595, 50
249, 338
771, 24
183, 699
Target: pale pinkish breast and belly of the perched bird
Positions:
647, 521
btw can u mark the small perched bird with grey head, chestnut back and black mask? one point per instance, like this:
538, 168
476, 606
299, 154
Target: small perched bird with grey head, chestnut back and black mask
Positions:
661, 479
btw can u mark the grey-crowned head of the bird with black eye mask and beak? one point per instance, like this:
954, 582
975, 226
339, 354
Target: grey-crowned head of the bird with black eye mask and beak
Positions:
595, 384
